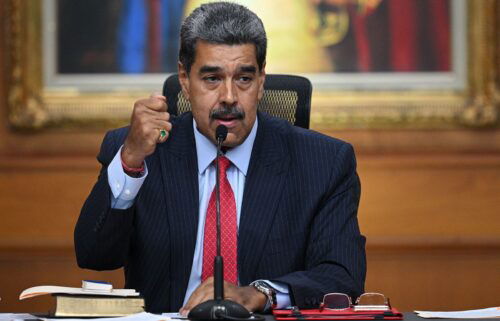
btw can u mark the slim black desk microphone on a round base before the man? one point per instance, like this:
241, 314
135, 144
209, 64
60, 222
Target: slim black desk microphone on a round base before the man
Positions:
219, 309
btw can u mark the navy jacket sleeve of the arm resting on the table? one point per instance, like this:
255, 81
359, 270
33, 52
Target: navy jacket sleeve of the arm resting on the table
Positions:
335, 259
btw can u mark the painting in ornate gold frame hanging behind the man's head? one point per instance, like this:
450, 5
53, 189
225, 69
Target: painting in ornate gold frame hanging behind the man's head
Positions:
373, 63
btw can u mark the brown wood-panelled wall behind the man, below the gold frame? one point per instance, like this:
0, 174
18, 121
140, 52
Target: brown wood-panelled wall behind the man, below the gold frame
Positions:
430, 211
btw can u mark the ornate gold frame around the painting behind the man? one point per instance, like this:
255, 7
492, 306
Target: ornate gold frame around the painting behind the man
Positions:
32, 105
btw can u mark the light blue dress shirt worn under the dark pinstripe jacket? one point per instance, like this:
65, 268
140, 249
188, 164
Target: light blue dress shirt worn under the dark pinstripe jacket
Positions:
125, 188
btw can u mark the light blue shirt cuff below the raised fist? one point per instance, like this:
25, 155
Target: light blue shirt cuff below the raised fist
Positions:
124, 188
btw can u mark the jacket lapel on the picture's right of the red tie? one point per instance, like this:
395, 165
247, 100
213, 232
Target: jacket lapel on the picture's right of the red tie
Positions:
263, 186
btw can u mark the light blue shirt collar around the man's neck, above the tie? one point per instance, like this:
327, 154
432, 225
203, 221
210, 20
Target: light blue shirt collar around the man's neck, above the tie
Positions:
239, 155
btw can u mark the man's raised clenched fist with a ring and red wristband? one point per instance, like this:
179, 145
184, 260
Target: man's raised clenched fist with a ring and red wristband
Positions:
149, 117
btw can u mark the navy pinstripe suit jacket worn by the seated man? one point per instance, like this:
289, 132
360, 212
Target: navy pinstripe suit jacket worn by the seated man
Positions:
298, 220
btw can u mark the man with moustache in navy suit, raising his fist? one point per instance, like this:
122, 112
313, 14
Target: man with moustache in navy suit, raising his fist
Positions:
294, 192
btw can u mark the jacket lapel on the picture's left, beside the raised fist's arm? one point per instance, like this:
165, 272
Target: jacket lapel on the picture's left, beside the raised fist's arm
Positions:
180, 177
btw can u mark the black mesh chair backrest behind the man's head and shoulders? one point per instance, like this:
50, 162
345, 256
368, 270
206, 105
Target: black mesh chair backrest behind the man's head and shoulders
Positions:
285, 96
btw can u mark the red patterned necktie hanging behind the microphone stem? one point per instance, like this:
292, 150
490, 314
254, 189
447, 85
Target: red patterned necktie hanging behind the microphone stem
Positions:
229, 230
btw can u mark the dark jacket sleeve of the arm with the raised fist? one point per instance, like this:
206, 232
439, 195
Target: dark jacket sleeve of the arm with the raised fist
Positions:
102, 234
